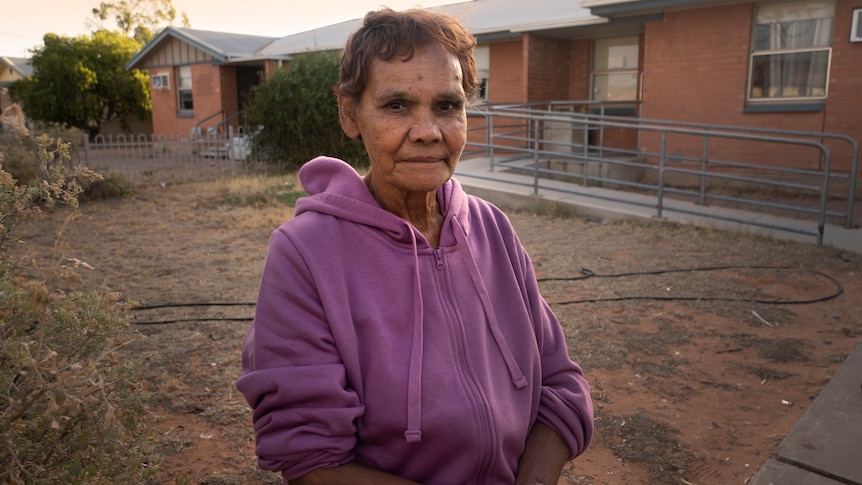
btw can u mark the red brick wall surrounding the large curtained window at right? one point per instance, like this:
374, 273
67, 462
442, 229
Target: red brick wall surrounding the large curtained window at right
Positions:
696, 65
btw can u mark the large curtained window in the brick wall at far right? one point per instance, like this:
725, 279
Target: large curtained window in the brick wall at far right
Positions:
792, 45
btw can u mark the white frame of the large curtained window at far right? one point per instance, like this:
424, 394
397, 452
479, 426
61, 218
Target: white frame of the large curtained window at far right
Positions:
756, 53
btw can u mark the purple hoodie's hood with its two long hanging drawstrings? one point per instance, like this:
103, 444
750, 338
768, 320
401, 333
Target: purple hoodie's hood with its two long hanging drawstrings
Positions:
335, 188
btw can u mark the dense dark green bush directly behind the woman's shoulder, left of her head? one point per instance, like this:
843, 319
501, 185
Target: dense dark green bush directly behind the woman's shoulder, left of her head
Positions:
296, 113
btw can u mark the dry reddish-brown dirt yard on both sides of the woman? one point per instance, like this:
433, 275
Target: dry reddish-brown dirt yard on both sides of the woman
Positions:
703, 348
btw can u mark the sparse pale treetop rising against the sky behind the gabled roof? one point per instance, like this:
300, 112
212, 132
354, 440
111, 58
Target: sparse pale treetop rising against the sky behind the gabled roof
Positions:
139, 19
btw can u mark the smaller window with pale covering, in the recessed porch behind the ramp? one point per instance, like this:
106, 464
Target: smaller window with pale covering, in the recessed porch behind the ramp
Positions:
615, 69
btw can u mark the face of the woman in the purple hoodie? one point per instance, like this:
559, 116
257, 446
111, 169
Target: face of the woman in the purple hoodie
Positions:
412, 119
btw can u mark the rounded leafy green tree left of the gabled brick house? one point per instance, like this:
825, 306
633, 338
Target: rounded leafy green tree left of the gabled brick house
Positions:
82, 81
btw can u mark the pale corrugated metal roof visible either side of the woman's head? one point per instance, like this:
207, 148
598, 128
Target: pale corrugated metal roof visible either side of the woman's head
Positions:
480, 17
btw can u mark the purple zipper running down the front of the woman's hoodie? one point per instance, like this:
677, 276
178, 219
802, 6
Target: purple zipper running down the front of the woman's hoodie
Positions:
479, 401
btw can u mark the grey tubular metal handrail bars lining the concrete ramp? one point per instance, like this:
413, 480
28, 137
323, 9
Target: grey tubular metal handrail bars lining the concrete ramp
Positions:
522, 141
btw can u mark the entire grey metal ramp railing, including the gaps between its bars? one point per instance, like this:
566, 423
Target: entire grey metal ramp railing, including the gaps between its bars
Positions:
687, 161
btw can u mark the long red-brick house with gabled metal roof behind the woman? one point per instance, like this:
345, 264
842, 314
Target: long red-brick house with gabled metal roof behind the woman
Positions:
777, 64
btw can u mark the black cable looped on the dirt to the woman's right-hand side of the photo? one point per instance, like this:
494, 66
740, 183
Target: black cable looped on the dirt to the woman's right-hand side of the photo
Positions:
586, 273
